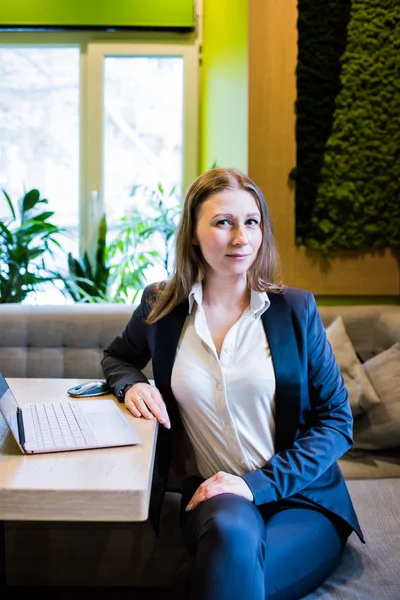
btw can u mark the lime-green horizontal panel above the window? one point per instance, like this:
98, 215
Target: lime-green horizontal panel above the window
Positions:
98, 13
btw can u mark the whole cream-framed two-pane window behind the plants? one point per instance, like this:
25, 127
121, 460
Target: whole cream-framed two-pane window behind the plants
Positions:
85, 121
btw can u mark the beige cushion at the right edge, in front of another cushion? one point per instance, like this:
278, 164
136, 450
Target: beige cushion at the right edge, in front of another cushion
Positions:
380, 427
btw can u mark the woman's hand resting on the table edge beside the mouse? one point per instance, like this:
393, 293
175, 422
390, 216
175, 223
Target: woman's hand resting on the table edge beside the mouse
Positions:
144, 400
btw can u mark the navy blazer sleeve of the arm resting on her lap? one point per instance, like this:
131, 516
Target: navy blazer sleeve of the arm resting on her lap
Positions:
326, 436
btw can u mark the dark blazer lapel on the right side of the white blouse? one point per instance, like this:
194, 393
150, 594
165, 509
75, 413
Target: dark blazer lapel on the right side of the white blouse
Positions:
281, 337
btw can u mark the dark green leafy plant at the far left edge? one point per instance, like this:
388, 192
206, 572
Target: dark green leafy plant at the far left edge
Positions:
27, 239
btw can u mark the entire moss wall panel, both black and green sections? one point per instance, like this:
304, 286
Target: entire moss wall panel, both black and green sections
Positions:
348, 172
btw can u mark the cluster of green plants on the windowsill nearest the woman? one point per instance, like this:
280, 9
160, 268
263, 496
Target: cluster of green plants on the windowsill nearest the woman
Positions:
138, 241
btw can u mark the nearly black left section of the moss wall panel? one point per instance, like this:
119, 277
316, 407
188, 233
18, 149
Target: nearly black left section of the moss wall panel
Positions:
322, 33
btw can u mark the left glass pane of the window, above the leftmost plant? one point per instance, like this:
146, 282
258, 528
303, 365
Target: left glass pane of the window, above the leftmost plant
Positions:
39, 126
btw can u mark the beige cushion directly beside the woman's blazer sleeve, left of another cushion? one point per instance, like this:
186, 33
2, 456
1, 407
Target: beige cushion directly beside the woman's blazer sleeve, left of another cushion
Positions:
362, 395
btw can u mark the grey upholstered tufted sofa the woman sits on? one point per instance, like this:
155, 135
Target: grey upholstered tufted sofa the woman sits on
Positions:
68, 341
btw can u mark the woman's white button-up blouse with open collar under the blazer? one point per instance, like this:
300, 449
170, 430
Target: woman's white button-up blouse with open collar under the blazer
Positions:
227, 404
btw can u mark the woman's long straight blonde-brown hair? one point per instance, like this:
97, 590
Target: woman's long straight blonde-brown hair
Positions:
189, 263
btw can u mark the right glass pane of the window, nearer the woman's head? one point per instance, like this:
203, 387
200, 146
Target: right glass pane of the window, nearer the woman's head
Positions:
143, 125
